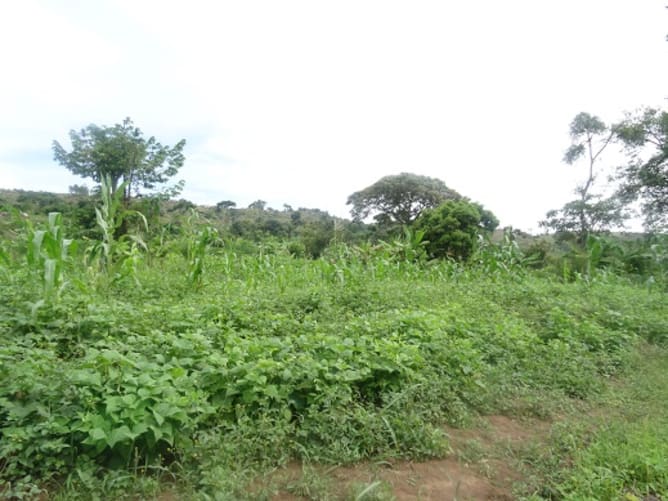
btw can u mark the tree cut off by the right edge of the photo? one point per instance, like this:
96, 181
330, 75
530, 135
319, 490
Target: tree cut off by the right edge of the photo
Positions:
647, 179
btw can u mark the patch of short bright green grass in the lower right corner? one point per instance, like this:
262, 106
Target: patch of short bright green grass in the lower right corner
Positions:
621, 451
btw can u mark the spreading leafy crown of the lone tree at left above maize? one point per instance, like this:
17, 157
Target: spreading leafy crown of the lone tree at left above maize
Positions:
122, 153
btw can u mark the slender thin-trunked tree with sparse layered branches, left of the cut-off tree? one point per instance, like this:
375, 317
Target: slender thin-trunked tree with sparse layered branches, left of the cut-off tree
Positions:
590, 136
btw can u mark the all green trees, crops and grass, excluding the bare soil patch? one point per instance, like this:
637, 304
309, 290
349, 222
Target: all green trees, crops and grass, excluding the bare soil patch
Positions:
150, 345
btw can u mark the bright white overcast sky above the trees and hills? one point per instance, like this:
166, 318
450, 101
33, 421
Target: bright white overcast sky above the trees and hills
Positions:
305, 102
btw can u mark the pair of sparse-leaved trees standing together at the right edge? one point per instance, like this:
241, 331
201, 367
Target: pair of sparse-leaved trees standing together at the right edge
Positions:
644, 178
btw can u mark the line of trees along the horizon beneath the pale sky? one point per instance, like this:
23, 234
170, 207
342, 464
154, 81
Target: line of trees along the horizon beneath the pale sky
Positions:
449, 224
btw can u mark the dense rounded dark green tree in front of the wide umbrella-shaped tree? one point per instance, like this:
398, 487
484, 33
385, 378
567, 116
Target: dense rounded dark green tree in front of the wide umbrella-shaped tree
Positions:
452, 229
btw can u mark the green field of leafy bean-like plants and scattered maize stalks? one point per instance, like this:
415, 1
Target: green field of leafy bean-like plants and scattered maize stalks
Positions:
187, 366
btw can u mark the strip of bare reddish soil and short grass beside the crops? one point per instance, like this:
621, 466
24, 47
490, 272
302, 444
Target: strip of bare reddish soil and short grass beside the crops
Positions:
611, 446
